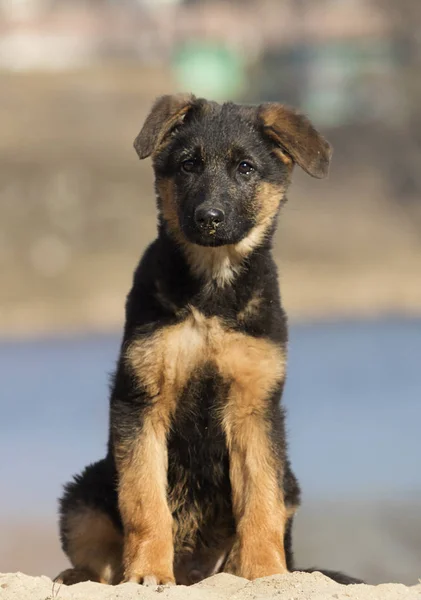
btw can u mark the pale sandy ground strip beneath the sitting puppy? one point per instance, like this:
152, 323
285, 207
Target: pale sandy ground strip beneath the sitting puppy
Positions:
297, 586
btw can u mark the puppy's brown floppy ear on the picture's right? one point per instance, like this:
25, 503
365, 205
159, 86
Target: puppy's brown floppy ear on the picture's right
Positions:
294, 133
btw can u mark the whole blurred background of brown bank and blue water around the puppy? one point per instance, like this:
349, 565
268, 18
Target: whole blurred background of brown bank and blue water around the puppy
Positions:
77, 209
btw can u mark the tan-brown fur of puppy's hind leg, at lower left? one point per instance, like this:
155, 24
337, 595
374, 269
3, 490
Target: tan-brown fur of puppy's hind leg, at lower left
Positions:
95, 547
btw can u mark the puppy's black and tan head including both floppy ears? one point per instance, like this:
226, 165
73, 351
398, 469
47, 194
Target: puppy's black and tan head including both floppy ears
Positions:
223, 170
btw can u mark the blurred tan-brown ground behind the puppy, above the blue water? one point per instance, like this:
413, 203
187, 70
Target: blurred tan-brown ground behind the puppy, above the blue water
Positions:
77, 209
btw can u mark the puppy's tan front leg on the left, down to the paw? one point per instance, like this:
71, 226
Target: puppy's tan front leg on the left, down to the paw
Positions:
140, 451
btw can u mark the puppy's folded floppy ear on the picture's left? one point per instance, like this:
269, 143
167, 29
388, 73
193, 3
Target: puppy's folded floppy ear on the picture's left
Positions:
166, 113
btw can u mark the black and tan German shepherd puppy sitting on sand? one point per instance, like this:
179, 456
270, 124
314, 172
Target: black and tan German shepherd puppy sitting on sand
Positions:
197, 478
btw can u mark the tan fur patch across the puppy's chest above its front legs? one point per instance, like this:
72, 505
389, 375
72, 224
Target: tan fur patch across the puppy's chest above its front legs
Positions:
166, 361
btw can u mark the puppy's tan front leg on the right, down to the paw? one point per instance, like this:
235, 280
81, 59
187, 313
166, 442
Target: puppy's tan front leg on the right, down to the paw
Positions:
255, 437
